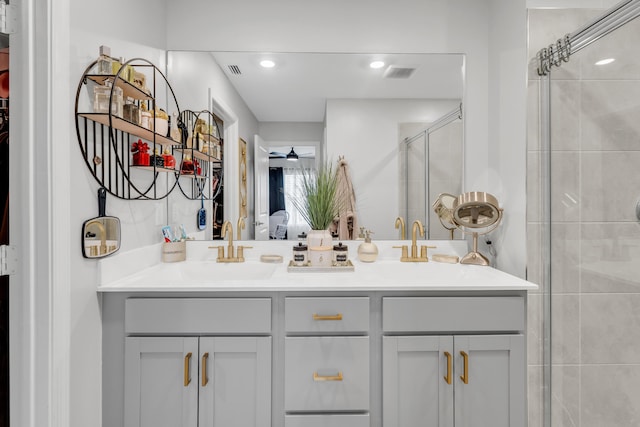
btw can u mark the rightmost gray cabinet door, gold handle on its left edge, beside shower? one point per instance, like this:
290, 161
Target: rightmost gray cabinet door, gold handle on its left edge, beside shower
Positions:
491, 390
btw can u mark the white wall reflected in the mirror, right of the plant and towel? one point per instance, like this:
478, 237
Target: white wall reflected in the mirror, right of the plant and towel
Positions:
365, 132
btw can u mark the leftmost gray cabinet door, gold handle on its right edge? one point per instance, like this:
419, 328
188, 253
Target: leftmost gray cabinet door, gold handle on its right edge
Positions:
161, 387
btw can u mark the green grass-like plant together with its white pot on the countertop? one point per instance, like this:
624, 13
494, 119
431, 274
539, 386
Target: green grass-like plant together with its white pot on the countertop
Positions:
318, 201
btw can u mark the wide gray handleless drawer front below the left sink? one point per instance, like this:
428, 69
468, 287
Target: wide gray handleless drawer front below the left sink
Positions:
197, 315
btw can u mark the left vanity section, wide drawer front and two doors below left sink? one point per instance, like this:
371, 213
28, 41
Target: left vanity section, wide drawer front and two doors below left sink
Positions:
197, 381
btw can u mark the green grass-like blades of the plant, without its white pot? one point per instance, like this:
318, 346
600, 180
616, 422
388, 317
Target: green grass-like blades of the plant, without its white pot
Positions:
318, 199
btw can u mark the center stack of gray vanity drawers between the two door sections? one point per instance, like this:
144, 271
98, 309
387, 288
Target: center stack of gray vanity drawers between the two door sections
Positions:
327, 371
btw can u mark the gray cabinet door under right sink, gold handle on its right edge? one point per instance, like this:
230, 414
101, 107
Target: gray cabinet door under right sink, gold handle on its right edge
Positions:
415, 390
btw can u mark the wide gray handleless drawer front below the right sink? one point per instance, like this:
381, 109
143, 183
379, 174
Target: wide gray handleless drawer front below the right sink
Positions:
452, 314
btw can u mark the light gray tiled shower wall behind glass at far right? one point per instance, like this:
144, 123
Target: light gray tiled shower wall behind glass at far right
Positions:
595, 244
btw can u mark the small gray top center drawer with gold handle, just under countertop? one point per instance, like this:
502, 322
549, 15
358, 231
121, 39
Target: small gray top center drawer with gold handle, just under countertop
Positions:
347, 314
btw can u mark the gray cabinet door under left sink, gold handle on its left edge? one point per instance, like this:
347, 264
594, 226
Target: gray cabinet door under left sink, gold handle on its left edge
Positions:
235, 382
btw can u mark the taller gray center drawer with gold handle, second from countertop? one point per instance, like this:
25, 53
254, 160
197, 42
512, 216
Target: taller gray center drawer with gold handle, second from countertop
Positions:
326, 374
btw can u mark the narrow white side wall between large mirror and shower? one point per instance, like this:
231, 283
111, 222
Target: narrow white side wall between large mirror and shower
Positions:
506, 173
